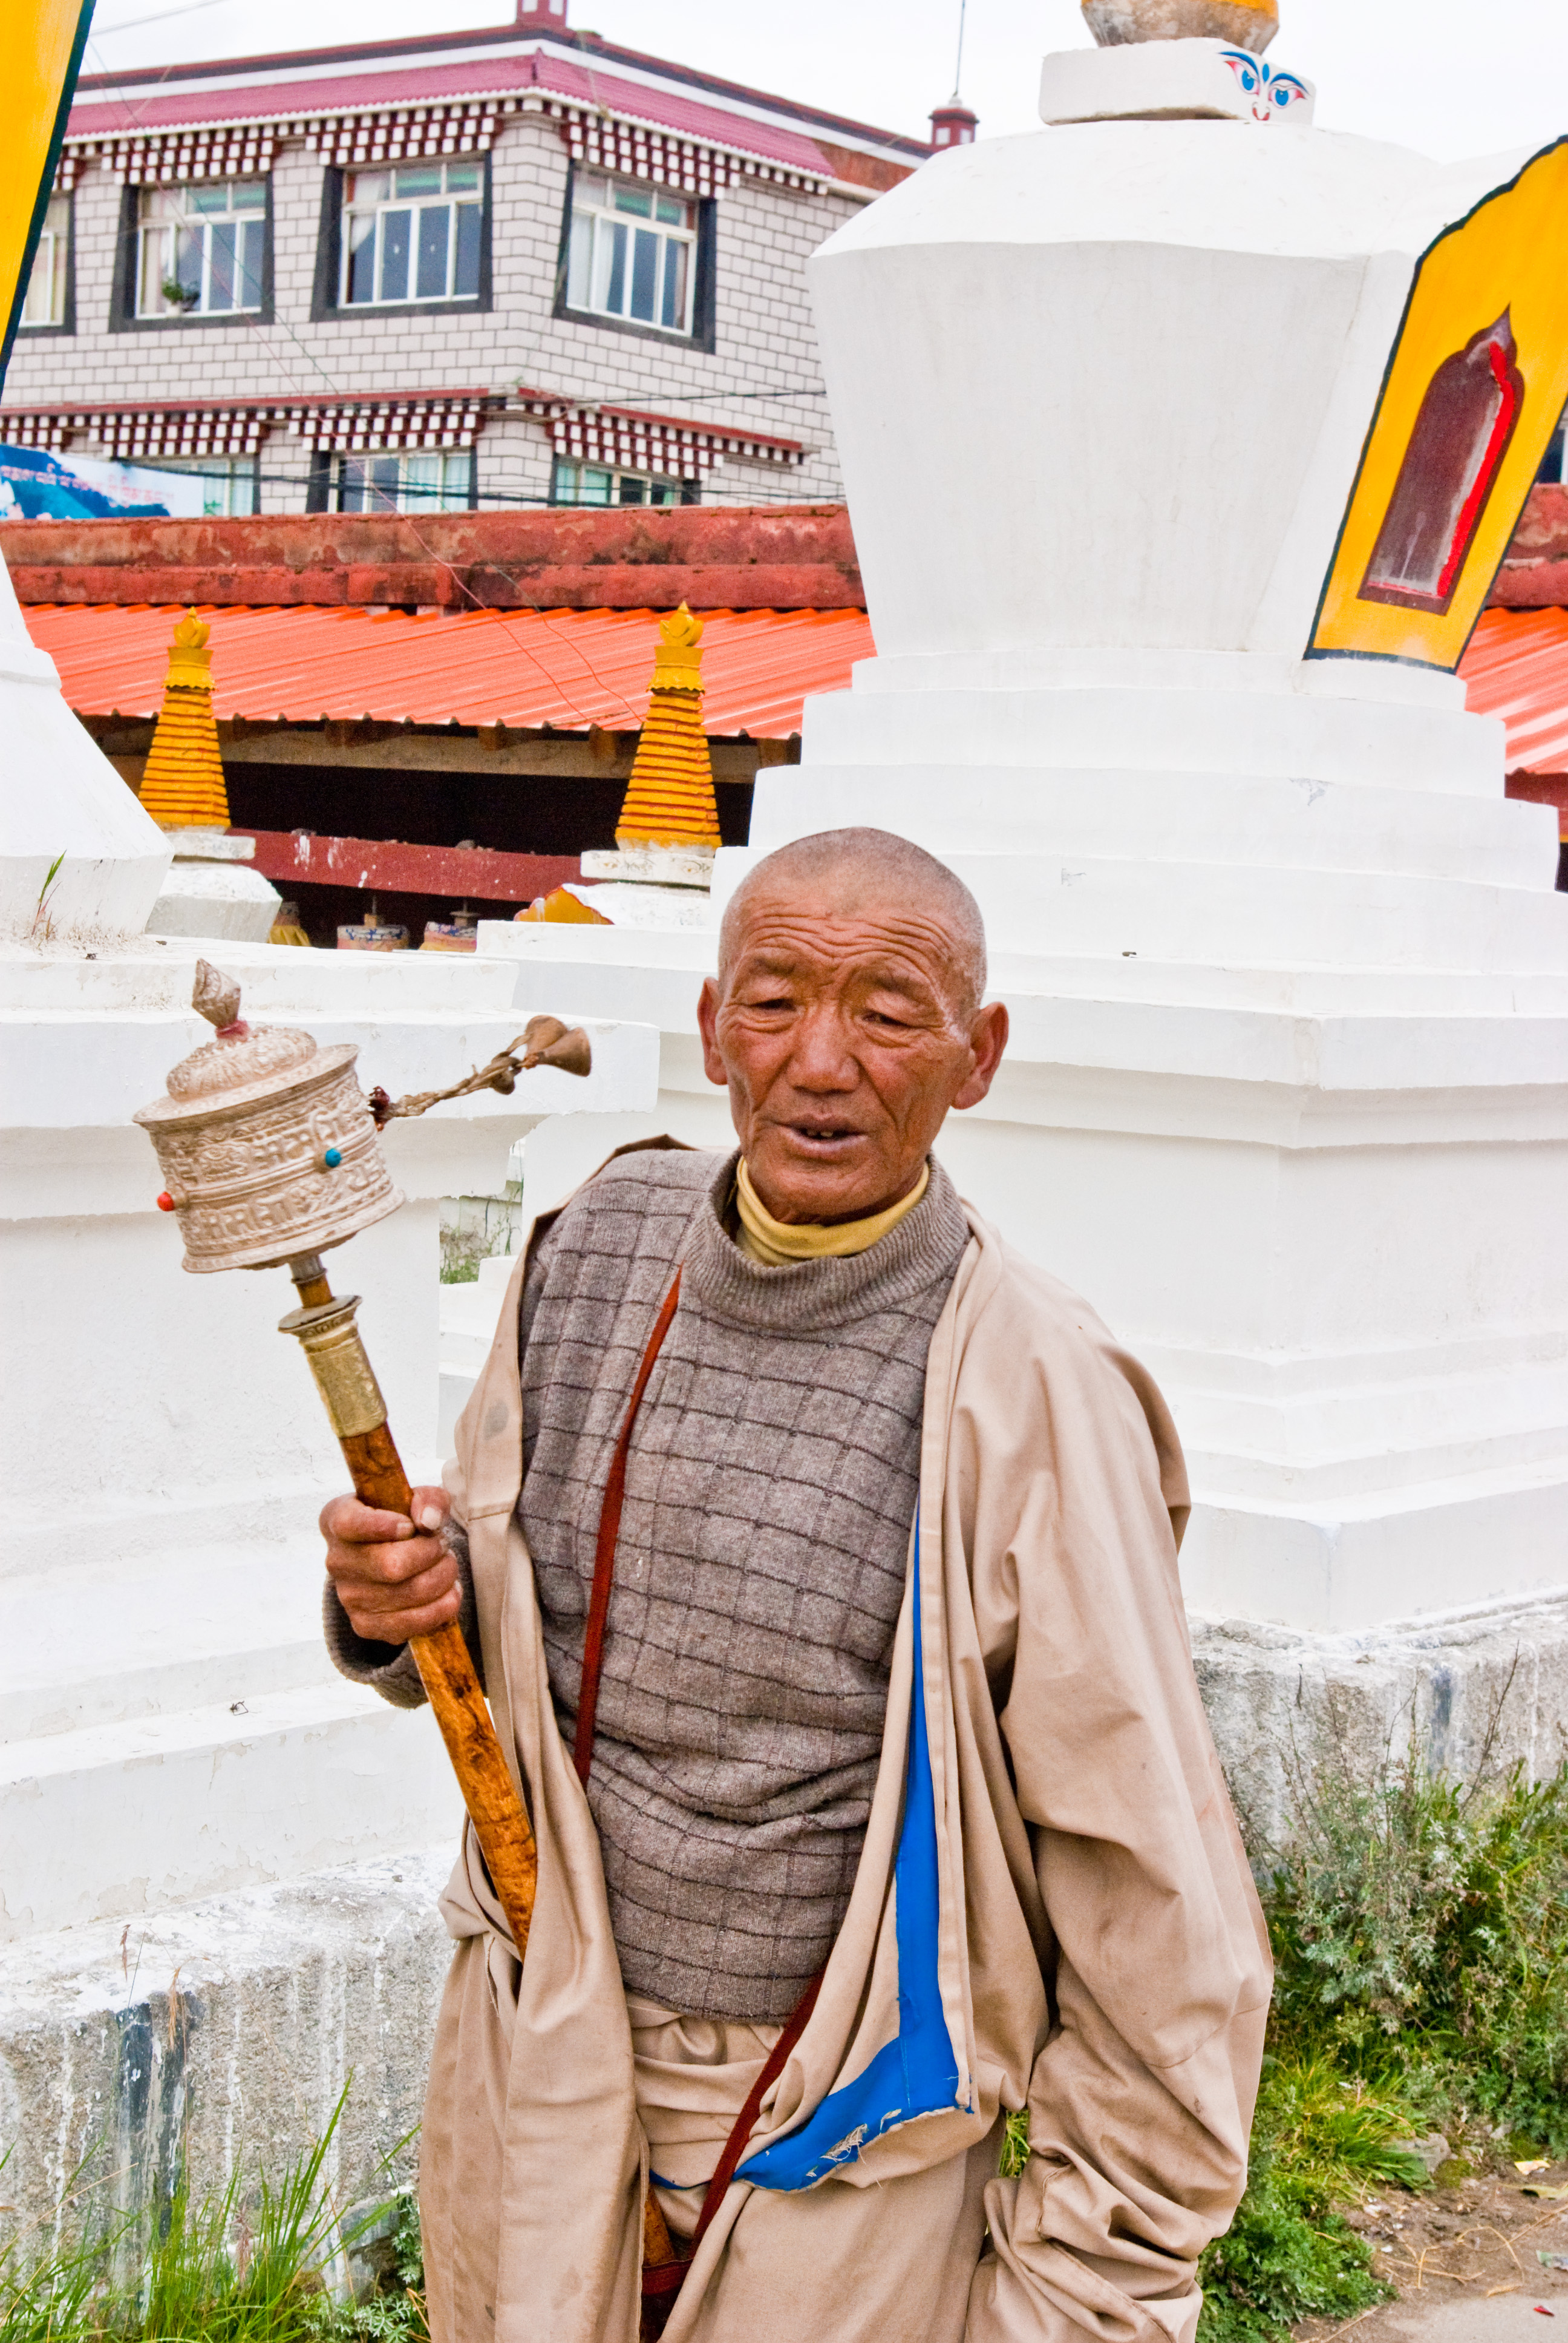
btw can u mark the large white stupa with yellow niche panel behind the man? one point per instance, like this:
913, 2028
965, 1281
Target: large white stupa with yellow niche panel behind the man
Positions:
1182, 444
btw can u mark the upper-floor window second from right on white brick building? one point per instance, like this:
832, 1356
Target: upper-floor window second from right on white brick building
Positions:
414, 233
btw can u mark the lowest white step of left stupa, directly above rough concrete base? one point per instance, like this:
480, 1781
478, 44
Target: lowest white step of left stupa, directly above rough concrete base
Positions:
207, 1803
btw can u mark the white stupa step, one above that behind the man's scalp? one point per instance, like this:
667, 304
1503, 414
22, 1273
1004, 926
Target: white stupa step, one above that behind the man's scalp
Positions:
1257, 735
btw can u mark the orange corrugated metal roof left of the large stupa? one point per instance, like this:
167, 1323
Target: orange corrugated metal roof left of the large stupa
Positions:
568, 669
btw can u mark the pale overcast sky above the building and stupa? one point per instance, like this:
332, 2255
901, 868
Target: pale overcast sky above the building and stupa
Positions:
1445, 76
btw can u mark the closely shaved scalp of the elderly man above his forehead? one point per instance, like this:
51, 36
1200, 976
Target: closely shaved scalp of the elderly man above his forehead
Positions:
868, 873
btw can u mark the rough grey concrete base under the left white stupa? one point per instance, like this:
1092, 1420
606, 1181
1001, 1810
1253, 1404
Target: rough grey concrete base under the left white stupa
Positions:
221, 2033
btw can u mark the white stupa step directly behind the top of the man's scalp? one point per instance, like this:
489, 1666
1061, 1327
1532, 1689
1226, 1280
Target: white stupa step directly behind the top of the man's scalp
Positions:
1208, 817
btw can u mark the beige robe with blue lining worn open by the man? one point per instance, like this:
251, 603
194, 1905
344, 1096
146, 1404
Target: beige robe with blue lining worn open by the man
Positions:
1051, 1911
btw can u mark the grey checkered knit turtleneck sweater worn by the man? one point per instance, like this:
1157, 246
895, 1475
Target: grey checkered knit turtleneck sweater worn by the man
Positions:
761, 1566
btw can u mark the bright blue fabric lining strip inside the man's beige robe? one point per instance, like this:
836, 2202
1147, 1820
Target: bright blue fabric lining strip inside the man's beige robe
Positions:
915, 2075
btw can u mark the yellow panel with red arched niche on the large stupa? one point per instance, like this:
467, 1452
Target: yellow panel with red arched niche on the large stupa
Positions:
1504, 268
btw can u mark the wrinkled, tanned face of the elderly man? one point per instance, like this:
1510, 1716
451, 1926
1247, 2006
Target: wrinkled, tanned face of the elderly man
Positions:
843, 1037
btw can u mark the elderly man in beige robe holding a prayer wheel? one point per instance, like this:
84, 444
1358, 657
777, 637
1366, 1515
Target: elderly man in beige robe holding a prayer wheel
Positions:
859, 1728
